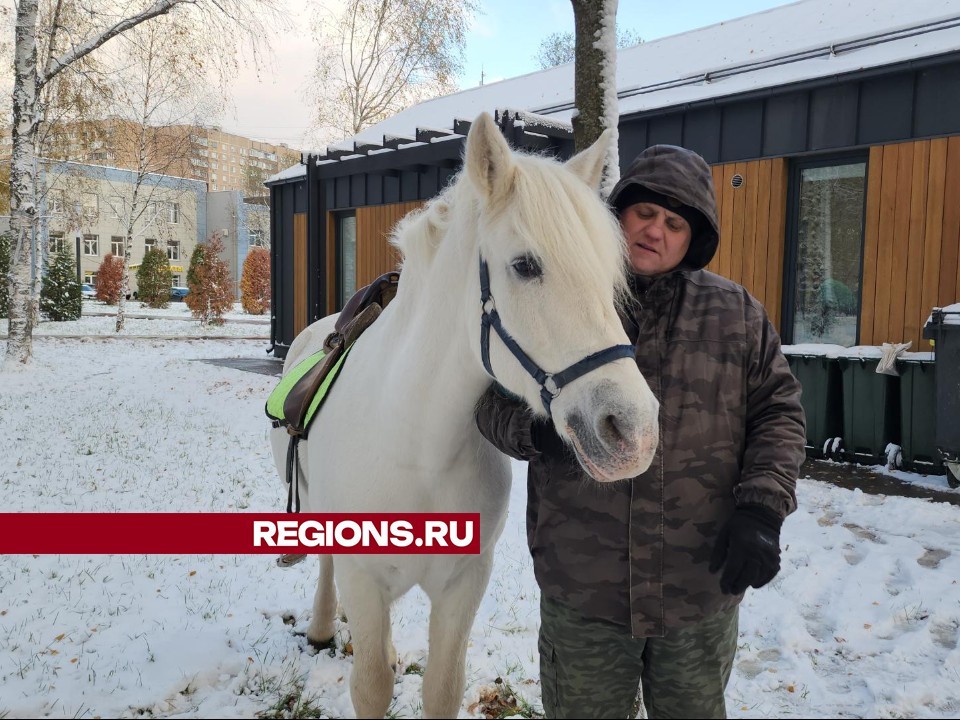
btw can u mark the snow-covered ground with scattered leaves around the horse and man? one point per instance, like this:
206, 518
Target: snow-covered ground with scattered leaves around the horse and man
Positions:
863, 621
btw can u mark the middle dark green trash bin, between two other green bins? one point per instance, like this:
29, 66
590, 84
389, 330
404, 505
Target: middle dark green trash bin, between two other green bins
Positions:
871, 411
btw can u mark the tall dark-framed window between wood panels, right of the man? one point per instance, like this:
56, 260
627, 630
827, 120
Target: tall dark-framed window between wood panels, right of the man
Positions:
825, 252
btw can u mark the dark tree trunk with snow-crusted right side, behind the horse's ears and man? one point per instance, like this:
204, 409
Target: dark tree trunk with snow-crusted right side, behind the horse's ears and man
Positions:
595, 81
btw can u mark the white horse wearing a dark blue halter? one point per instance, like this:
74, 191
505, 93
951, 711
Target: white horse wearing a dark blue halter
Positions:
397, 432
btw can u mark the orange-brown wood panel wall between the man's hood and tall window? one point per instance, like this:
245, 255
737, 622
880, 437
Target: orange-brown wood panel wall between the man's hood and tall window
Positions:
753, 228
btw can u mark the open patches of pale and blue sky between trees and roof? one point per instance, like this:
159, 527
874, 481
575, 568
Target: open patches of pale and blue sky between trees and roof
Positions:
502, 43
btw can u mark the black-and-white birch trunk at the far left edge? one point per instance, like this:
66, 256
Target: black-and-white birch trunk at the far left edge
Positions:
23, 210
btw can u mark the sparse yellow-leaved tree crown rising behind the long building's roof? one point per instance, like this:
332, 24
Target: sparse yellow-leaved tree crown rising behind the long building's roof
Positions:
377, 57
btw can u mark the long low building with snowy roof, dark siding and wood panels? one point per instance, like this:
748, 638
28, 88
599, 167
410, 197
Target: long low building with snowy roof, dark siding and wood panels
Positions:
833, 130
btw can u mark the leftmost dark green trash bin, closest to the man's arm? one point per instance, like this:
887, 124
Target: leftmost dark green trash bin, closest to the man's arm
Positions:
822, 399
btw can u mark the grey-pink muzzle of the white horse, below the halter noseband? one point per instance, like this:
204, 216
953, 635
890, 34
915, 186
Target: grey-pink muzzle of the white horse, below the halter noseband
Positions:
614, 439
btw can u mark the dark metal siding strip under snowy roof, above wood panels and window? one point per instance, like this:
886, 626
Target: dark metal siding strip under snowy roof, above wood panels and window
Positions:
910, 101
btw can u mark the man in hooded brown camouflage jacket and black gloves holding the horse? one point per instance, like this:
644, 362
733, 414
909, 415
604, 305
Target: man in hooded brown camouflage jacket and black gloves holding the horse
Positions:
641, 580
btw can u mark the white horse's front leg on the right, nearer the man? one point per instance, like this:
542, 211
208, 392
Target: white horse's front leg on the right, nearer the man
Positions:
452, 611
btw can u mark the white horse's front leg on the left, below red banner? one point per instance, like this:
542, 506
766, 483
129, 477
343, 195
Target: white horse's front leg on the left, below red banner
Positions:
368, 613
